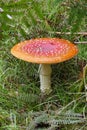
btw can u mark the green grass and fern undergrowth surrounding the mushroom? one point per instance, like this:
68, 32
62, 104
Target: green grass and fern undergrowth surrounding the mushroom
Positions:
21, 105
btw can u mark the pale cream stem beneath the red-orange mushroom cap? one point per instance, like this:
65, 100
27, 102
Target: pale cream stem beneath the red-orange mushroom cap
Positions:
45, 78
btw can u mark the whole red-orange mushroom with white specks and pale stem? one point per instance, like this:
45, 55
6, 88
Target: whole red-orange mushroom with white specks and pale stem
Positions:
45, 51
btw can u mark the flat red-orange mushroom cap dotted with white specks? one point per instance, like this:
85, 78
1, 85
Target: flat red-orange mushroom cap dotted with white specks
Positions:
45, 50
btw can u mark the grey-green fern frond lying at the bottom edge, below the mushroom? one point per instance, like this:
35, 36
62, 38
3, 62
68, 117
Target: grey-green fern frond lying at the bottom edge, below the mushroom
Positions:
54, 120
